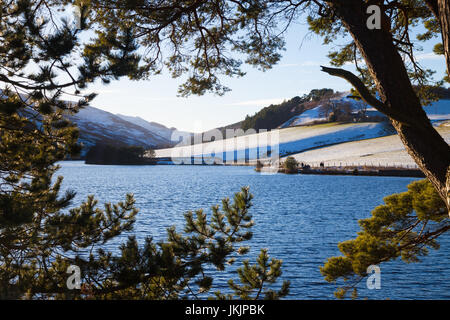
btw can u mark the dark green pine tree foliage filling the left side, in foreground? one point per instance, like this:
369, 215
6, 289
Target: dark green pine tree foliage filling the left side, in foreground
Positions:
41, 233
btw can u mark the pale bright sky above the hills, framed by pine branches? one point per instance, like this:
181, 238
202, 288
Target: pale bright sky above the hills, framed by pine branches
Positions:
297, 73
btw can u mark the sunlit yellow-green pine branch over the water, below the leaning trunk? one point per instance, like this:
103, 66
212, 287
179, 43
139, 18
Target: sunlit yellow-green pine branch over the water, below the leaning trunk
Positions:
406, 226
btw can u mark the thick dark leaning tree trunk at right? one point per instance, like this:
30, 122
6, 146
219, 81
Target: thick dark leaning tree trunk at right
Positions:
428, 149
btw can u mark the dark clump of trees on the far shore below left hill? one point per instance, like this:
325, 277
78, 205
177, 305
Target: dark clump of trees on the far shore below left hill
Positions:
116, 155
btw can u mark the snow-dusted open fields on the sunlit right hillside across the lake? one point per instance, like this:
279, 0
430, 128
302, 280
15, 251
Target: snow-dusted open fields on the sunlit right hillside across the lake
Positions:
323, 142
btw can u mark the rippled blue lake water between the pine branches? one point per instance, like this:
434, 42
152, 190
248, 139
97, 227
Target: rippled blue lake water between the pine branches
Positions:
299, 218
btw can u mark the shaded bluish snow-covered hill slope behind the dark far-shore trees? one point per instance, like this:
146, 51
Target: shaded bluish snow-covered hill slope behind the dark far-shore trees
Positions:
98, 126
